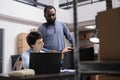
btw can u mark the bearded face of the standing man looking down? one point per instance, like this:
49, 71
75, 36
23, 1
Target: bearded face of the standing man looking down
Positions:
50, 16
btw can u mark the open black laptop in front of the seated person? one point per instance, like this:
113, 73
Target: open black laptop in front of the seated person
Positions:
45, 63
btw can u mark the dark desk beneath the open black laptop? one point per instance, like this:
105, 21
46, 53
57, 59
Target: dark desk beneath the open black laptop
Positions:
59, 76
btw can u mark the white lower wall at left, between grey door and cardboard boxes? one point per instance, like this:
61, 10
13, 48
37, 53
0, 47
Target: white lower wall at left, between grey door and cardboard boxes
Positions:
11, 30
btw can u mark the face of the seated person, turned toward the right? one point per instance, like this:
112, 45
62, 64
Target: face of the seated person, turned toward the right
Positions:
38, 45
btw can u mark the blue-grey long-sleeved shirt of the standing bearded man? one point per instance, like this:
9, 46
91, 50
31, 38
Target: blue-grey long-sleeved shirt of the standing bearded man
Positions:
53, 35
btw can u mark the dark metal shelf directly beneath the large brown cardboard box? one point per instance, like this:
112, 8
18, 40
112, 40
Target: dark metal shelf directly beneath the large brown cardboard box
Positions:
100, 67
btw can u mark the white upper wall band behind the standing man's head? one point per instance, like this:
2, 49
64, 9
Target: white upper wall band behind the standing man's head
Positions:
19, 10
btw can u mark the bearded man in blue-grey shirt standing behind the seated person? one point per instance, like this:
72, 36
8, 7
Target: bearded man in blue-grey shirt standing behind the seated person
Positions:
53, 31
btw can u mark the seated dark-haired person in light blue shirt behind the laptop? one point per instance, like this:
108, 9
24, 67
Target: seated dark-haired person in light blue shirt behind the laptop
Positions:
35, 41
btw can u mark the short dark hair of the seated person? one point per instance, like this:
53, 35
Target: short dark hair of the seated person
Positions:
32, 37
